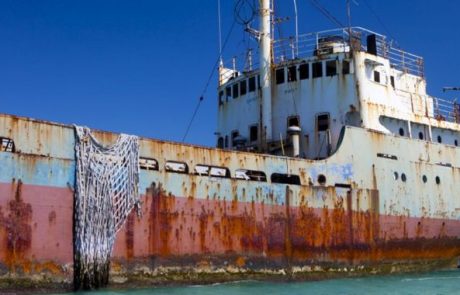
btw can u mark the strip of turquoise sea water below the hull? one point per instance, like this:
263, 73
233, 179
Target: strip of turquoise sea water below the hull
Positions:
442, 282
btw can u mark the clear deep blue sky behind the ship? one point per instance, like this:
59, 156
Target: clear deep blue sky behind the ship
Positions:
139, 67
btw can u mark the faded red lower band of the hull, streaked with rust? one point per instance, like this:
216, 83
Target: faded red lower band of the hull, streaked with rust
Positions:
173, 227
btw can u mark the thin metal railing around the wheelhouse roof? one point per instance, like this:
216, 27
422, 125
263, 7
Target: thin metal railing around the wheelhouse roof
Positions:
312, 44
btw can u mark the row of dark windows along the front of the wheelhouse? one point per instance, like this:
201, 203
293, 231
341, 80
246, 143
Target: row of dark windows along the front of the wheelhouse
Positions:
294, 73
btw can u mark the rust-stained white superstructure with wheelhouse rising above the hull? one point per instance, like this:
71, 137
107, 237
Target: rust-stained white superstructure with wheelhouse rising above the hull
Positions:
323, 82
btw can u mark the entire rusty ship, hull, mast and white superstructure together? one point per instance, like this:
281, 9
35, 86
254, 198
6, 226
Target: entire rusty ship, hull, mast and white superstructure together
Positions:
332, 159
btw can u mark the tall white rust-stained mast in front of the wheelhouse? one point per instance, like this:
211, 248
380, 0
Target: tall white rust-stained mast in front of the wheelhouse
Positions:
265, 68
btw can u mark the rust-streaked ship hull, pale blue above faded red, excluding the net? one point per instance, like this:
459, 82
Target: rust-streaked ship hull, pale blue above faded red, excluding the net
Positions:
361, 218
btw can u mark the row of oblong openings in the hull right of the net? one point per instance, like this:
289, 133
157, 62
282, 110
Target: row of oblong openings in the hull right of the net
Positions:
222, 172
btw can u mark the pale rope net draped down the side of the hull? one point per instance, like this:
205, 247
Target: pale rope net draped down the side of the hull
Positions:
106, 191
